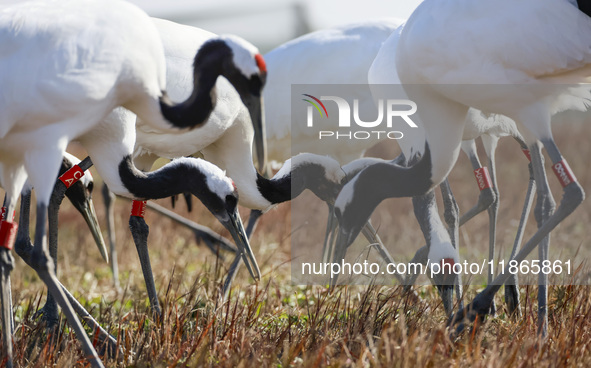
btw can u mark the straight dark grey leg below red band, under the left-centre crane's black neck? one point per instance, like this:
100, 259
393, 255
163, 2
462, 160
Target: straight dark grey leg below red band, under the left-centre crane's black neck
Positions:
139, 231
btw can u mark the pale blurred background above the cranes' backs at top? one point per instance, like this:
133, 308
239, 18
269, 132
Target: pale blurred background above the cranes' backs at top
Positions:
268, 23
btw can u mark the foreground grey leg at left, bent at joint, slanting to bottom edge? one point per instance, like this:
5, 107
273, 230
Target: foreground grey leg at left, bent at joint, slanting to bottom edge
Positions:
41, 262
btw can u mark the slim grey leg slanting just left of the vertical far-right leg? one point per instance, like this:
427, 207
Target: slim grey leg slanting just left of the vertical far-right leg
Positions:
512, 285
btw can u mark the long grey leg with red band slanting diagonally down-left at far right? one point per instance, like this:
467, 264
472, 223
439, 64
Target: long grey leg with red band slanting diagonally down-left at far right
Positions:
573, 195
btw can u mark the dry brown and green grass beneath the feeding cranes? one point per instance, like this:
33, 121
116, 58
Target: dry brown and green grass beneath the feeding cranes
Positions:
274, 323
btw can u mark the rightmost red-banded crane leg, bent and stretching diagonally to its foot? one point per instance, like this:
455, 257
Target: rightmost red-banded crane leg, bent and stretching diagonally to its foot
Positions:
573, 196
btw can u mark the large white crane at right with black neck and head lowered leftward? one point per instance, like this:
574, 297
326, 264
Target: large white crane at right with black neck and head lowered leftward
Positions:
537, 54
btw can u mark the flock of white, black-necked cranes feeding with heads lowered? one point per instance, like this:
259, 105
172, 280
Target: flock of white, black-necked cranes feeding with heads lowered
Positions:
106, 74
